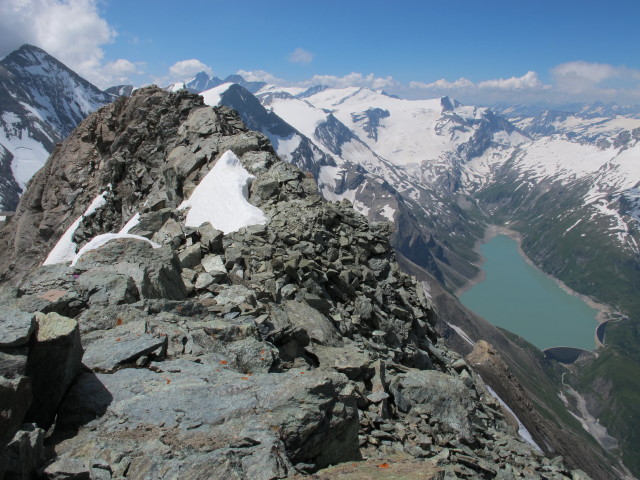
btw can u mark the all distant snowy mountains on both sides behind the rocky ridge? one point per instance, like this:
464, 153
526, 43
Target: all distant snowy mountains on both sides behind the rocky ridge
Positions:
567, 180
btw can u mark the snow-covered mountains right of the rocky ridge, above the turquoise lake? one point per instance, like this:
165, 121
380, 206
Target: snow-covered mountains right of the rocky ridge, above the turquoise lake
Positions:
444, 171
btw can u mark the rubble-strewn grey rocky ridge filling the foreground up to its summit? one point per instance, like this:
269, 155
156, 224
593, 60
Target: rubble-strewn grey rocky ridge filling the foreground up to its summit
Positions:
273, 351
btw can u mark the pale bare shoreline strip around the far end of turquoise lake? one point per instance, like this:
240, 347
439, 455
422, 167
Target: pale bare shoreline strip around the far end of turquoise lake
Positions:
605, 312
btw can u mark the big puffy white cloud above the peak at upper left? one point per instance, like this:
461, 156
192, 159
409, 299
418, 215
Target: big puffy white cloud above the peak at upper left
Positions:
70, 30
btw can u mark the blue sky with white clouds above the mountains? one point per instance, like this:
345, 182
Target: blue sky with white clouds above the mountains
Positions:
478, 51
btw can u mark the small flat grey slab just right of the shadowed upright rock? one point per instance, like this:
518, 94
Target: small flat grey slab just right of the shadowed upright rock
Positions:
106, 354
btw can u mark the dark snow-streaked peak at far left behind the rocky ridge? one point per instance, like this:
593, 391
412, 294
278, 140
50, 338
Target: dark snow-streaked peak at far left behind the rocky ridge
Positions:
41, 102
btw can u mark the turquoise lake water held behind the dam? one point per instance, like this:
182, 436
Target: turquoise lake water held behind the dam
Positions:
516, 296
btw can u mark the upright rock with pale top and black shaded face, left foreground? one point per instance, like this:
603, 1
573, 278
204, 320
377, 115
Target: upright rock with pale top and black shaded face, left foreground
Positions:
54, 361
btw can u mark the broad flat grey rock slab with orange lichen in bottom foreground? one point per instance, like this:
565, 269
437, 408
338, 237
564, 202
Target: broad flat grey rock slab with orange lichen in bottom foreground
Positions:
182, 416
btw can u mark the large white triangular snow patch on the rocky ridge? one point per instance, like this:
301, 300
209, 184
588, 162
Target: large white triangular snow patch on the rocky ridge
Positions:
221, 198
